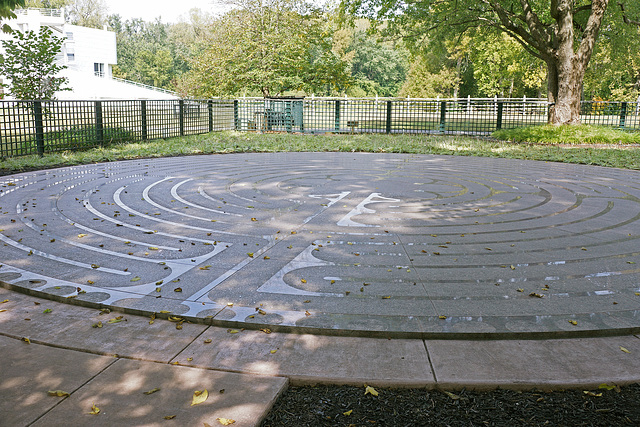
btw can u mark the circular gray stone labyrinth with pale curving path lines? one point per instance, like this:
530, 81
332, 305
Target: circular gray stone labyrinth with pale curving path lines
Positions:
386, 244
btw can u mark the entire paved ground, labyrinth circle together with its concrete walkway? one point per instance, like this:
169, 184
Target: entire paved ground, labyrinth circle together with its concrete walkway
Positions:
343, 268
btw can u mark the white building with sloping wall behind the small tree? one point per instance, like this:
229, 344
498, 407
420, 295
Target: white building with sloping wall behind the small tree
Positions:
89, 55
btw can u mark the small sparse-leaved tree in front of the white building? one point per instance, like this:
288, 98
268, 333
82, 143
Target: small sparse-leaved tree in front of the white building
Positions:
29, 64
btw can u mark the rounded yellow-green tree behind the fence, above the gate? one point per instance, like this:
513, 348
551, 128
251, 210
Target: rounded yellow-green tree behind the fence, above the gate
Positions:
268, 46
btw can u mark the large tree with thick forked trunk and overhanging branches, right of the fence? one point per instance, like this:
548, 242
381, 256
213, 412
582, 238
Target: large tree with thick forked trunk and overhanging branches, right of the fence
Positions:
562, 33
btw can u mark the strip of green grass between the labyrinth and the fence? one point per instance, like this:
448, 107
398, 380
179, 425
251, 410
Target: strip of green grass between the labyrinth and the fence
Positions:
236, 142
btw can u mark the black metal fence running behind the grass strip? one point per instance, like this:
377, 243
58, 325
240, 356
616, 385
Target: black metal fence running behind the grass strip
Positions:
36, 127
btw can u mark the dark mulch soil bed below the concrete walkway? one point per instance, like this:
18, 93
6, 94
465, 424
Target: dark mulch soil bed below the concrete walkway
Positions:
329, 406
